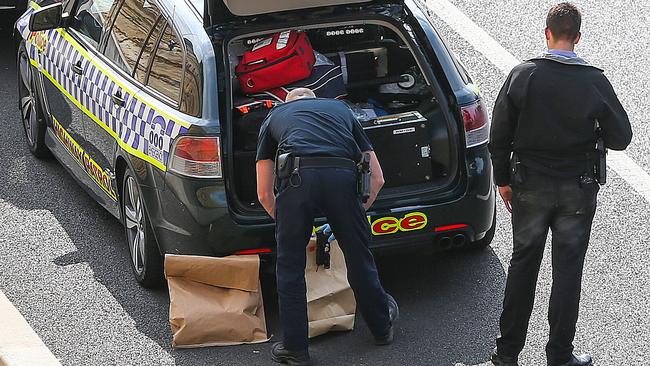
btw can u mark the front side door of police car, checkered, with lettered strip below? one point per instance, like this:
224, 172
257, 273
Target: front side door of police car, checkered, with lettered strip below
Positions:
67, 63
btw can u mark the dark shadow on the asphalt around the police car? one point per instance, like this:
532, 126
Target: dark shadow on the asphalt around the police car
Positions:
449, 302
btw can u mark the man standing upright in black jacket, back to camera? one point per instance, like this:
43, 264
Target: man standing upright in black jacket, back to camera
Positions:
543, 142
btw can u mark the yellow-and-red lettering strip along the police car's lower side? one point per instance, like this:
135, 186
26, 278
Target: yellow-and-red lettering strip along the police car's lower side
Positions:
89, 165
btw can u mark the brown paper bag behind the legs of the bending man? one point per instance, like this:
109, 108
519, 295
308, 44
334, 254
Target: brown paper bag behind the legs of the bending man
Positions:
330, 301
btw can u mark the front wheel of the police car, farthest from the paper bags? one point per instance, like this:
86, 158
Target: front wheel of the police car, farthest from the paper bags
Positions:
31, 111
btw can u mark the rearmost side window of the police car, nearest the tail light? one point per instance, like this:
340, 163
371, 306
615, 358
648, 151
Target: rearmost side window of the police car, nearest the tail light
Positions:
167, 69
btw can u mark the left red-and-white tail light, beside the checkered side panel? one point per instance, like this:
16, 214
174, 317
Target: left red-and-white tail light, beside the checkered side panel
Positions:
197, 157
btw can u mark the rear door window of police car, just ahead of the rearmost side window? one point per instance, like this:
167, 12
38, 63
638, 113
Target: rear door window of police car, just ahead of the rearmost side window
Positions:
132, 26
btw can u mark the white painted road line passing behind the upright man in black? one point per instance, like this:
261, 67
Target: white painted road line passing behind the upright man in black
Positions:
618, 161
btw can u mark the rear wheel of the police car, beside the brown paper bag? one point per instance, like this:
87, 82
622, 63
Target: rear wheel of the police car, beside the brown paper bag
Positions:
146, 261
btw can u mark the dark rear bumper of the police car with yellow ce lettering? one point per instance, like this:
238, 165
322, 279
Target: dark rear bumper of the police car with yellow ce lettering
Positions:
191, 216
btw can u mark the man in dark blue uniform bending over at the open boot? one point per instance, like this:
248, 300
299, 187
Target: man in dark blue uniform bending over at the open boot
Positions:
324, 141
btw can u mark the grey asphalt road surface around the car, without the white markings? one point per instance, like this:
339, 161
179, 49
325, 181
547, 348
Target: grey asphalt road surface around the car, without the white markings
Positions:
64, 265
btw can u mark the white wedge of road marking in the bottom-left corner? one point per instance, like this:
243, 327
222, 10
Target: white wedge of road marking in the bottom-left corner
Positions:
19, 344
